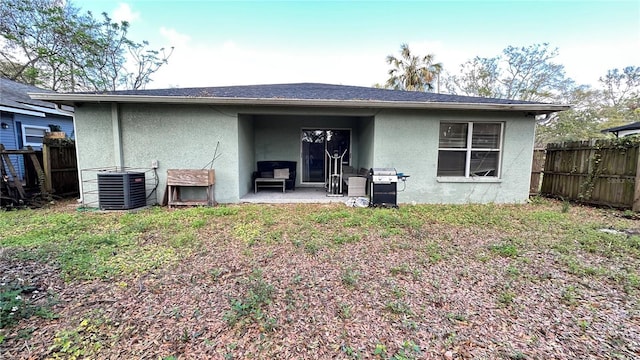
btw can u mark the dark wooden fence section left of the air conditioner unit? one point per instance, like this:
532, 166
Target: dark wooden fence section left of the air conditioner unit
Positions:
60, 167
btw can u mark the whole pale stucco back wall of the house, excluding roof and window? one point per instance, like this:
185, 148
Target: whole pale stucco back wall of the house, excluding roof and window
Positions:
185, 136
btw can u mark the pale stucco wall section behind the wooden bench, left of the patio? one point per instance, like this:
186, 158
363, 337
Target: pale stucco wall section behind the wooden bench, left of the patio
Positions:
182, 137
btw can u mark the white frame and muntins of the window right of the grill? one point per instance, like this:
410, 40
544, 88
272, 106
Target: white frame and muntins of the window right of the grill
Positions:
469, 150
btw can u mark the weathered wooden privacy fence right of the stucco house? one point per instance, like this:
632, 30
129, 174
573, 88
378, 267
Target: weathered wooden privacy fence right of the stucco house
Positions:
601, 172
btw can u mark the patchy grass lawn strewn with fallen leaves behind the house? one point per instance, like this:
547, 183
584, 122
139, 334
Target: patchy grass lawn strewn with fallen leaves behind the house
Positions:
535, 281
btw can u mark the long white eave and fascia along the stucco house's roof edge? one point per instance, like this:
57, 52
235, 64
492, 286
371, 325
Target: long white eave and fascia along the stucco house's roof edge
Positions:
70, 99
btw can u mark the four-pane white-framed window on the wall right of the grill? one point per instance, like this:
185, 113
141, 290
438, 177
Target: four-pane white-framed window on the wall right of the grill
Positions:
469, 149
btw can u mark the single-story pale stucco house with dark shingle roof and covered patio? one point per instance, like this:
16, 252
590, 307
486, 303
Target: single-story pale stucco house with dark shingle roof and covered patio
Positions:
457, 149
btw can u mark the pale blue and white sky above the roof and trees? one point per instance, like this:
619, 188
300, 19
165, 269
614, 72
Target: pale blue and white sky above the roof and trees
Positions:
220, 43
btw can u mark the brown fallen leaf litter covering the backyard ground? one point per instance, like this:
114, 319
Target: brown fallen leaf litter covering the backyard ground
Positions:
435, 290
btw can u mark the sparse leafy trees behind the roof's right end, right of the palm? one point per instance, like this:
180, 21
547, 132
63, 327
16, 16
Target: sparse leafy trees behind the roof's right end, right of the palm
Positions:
531, 74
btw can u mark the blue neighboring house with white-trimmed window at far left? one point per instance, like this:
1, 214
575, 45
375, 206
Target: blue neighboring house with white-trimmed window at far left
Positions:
25, 121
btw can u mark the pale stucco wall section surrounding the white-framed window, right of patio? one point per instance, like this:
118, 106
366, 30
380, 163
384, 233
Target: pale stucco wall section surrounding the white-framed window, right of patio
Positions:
408, 141
